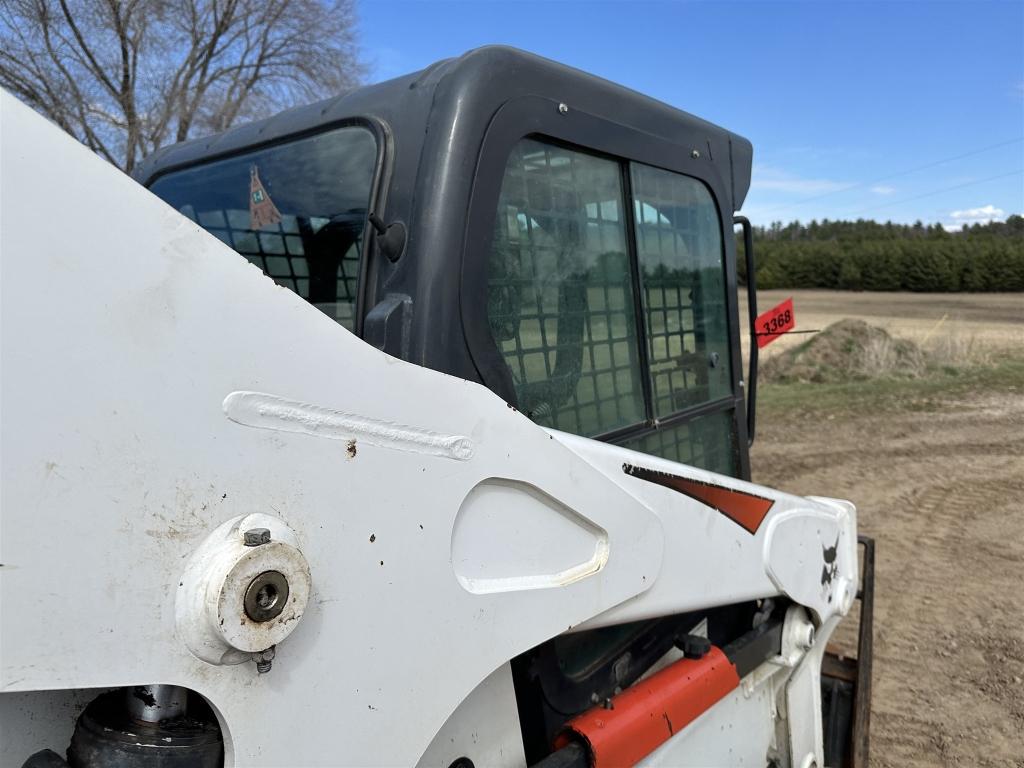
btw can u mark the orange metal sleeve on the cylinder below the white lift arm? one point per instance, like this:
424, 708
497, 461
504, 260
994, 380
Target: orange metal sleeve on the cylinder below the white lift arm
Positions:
651, 712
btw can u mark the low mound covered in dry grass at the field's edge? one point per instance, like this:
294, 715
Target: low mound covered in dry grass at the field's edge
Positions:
846, 351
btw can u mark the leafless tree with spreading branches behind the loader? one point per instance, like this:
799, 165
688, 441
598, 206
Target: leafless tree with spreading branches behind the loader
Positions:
126, 77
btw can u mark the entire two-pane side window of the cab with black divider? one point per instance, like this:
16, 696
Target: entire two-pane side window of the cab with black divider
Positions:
604, 334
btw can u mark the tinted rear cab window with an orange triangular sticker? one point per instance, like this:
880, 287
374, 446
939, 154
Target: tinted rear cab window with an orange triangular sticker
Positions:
296, 210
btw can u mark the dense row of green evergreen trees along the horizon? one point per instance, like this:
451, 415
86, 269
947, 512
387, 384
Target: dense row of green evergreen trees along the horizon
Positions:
872, 257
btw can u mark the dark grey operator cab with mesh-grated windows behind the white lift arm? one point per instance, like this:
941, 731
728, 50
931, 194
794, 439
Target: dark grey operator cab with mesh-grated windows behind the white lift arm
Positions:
562, 240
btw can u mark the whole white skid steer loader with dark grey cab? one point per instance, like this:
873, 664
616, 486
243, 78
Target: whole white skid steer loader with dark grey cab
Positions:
474, 491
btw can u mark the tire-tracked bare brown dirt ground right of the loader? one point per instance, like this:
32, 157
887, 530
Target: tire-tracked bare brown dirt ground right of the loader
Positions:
941, 489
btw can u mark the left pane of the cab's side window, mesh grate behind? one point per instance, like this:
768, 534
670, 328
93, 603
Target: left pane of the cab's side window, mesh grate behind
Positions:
561, 291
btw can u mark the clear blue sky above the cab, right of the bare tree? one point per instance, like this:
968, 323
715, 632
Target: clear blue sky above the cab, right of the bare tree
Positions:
899, 111
